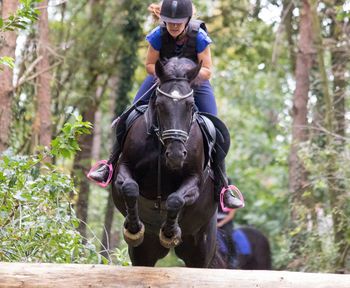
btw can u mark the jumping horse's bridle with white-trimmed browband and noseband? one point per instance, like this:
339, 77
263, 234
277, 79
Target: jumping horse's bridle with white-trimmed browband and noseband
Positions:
174, 134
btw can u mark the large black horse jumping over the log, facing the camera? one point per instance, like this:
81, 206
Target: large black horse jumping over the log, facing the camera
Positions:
160, 185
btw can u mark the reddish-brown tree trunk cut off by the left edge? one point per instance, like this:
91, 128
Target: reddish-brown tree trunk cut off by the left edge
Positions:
7, 49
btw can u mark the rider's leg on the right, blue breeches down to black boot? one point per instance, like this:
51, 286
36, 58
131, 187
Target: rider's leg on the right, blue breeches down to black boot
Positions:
205, 101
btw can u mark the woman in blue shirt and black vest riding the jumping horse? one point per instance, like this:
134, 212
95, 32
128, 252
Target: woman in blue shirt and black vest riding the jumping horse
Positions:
180, 36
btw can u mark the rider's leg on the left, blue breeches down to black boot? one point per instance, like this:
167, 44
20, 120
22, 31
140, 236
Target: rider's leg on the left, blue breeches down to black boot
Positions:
101, 175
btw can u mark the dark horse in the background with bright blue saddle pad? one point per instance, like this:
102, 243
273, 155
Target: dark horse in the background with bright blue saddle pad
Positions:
251, 251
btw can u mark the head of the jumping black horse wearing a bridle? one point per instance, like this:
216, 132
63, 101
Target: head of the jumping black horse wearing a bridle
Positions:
174, 107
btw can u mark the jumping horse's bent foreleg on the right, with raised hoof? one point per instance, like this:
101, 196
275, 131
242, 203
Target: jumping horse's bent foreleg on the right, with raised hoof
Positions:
170, 233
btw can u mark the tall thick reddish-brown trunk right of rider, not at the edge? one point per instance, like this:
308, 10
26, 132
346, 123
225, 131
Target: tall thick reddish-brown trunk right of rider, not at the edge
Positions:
297, 173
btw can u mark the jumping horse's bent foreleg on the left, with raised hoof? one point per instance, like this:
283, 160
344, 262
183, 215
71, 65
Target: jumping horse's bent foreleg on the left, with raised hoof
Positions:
133, 227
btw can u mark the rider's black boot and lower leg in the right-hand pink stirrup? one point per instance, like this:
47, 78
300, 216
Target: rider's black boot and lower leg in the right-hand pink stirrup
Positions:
220, 180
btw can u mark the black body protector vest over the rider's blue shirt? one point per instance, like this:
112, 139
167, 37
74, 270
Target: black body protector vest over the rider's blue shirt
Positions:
169, 47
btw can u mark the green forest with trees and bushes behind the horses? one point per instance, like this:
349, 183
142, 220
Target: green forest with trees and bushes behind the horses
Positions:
280, 76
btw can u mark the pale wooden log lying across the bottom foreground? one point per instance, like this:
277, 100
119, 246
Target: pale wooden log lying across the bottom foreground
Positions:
80, 275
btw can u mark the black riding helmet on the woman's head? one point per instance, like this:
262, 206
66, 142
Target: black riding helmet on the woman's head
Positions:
176, 11
